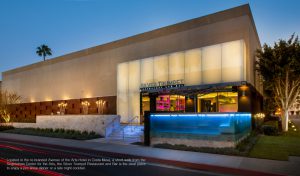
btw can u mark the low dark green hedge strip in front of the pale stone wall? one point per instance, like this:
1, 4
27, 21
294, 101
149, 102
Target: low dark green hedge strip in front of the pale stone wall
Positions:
56, 133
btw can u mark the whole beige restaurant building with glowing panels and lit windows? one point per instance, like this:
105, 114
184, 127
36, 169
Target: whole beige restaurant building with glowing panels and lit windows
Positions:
204, 64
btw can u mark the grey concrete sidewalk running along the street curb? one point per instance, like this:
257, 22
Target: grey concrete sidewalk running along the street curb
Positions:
290, 167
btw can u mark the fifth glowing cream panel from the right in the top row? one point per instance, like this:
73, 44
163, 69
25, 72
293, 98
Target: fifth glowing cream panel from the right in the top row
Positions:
161, 68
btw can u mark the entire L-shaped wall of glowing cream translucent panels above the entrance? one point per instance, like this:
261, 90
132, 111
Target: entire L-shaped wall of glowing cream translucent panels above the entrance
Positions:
213, 64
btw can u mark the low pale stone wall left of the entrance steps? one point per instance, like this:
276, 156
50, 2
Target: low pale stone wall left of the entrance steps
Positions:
100, 124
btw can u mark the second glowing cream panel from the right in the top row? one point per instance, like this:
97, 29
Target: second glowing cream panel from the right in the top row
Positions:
211, 64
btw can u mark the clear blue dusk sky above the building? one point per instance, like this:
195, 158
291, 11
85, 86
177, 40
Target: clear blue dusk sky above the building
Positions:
72, 25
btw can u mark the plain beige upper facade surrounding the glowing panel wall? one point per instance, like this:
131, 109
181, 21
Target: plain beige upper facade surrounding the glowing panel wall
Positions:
93, 72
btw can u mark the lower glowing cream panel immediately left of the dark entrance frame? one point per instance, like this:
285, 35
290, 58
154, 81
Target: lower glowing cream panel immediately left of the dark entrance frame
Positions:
133, 106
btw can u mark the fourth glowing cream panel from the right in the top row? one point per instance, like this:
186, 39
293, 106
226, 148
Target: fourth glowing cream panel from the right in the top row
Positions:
176, 66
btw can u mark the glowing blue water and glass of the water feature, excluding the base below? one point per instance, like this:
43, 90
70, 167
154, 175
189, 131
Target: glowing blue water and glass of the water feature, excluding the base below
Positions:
210, 126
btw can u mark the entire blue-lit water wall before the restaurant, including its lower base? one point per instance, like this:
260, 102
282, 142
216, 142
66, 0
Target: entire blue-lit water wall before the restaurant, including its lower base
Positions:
215, 130
